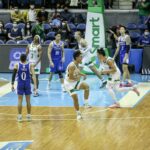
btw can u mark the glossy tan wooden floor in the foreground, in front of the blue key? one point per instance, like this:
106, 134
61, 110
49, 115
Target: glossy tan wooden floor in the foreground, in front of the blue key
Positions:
56, 128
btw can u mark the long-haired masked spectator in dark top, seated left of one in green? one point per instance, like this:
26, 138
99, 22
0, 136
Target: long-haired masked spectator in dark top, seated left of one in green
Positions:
27, 35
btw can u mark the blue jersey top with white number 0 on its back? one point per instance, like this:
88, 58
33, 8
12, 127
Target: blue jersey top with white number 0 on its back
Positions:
23, 74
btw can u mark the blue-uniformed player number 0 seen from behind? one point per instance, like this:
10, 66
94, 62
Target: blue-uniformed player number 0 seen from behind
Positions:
23, 70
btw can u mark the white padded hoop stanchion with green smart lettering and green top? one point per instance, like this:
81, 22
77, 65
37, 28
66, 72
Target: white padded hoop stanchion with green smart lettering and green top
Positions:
95, 31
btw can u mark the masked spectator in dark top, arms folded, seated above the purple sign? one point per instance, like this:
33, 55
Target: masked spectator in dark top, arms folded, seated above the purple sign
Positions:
15, 33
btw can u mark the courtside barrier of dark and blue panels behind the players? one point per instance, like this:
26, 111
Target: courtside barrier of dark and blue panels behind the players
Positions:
10, 54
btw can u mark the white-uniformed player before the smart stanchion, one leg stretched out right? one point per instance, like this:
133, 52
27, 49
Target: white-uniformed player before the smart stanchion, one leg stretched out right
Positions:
85, 50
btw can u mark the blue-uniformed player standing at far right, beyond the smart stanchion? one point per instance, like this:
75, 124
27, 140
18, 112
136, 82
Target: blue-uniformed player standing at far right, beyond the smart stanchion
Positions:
123, 48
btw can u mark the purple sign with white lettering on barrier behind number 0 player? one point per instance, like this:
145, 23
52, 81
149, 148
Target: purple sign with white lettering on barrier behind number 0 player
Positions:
14, 56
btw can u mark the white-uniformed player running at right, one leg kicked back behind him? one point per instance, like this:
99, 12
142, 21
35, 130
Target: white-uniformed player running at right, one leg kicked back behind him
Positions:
113, 83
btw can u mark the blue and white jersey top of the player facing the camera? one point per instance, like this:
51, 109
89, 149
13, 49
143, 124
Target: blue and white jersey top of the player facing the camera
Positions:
56, 53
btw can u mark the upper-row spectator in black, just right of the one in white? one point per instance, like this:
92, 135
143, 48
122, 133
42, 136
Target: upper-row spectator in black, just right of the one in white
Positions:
42, 15
